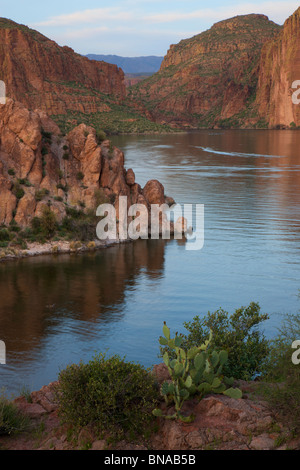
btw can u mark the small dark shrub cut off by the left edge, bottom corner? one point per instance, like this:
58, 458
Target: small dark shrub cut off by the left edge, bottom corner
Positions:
12, 420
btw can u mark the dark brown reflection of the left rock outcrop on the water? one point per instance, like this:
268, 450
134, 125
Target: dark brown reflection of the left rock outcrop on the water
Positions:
90, 288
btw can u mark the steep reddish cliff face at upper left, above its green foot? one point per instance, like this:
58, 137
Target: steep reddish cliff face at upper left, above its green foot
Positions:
40, 74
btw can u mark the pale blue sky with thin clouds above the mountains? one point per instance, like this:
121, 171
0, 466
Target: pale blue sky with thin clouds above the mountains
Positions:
132, 27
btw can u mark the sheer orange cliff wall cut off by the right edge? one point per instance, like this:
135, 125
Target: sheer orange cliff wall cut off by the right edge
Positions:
279, 69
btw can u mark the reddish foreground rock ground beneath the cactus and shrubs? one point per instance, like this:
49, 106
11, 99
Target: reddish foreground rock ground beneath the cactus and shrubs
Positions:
221, 423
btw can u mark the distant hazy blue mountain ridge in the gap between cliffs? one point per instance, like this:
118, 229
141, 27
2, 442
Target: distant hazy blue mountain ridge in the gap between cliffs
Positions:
131, 65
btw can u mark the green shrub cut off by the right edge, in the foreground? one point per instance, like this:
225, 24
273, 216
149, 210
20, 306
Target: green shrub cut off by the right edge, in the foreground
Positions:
284, 376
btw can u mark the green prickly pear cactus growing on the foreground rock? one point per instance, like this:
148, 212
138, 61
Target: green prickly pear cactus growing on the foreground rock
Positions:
195, 371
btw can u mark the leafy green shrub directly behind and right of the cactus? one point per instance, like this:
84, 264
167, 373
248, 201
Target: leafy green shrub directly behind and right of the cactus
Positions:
238, 334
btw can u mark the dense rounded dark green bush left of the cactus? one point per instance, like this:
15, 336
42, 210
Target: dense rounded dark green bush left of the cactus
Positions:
108, 394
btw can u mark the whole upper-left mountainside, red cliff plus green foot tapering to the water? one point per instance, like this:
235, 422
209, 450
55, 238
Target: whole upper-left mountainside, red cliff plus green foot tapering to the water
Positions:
67, 86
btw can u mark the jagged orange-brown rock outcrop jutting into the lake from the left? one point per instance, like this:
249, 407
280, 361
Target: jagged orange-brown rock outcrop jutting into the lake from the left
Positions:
39, 167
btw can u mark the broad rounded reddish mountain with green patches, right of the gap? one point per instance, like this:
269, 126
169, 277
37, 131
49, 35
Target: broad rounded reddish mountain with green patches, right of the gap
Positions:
210, 79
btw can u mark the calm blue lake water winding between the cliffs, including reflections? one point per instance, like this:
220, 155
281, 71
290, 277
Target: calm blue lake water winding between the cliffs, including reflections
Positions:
60, 310
